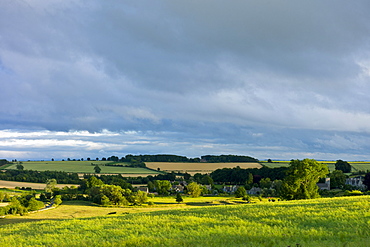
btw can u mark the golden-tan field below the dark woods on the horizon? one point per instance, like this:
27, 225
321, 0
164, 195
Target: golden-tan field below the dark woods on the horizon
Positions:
193, 168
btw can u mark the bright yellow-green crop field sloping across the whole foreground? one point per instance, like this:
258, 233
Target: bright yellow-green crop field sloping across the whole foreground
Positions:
322, 222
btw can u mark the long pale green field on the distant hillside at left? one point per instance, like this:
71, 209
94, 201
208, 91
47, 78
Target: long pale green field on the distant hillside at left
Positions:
81, 167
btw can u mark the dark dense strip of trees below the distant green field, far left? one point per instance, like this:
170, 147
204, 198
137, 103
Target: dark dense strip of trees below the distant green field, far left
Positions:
39, 176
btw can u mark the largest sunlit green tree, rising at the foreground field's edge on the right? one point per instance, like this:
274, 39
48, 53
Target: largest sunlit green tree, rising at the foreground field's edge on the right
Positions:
301, 180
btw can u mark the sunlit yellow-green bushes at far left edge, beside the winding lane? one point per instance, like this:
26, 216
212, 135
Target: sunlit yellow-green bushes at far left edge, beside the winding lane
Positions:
22, 205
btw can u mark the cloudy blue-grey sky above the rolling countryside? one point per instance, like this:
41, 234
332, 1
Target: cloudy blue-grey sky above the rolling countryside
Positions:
268, 79
